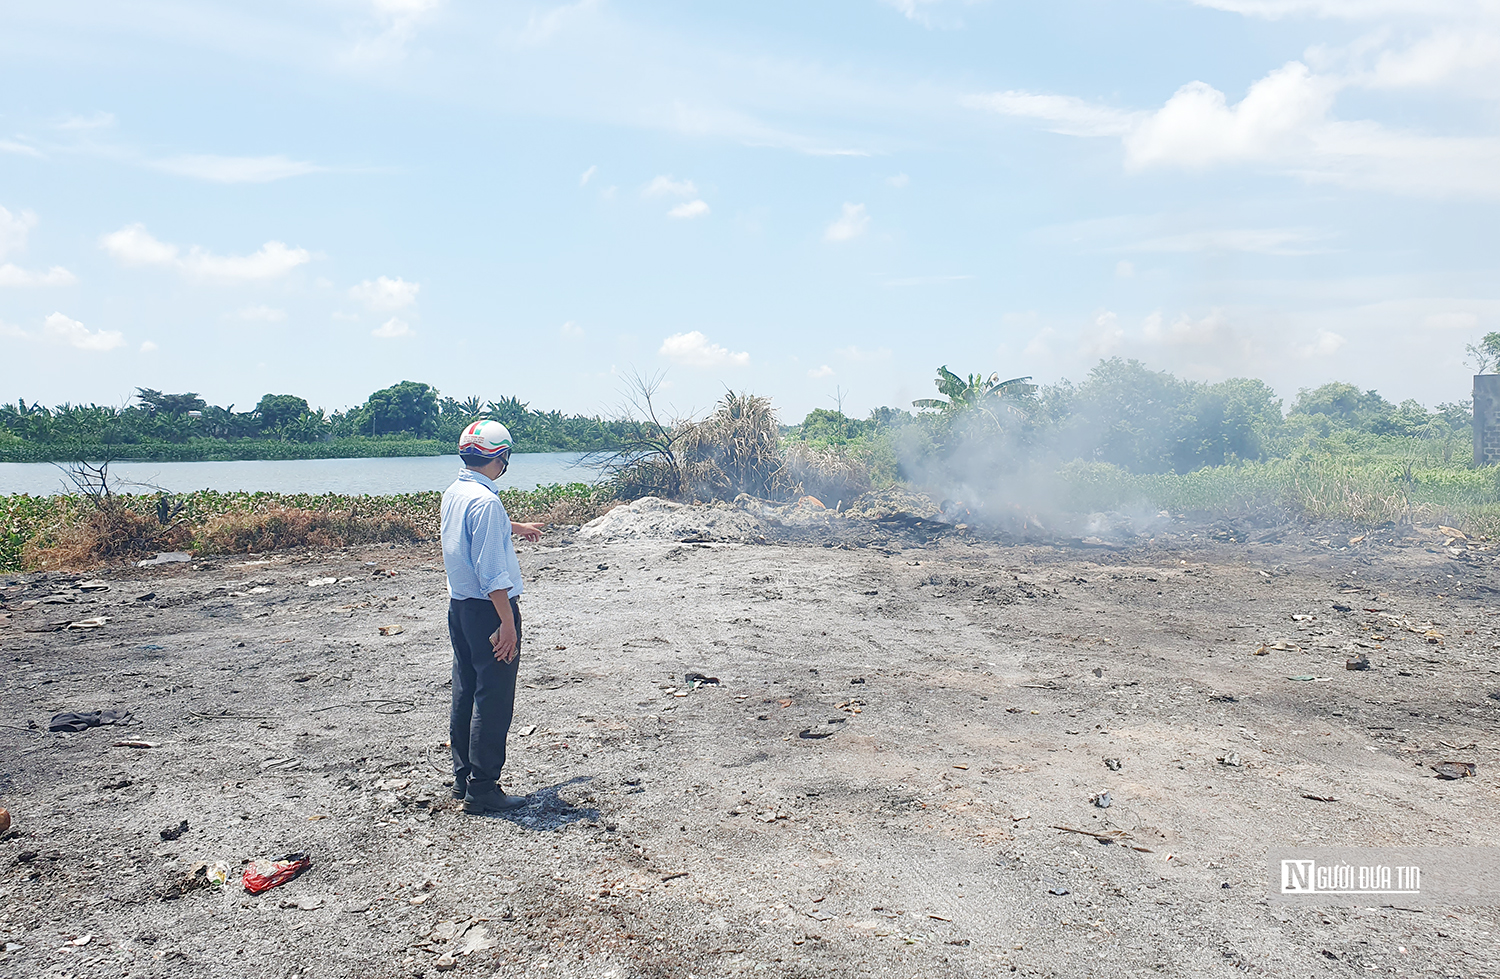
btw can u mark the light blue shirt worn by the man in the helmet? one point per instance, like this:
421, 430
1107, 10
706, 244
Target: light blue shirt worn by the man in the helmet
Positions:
478, 551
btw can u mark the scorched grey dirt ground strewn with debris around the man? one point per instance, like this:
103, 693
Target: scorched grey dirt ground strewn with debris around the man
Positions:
905, 714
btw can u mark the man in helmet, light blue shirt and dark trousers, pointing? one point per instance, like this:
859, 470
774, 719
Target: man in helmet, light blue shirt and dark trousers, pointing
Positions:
484, 617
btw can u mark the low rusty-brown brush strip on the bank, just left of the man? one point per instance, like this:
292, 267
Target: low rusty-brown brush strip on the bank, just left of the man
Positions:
280, 528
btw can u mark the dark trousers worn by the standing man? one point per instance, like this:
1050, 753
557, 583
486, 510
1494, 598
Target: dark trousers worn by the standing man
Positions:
484, 693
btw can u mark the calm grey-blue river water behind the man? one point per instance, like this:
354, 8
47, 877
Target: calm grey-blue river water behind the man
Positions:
376, 478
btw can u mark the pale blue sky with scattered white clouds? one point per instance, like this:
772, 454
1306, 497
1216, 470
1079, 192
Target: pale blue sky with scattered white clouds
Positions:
815, 202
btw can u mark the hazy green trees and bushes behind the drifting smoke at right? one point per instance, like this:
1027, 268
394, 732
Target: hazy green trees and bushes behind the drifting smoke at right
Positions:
1138, 419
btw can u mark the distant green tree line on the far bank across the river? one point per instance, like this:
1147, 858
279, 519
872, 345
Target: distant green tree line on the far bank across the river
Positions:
407, 419
